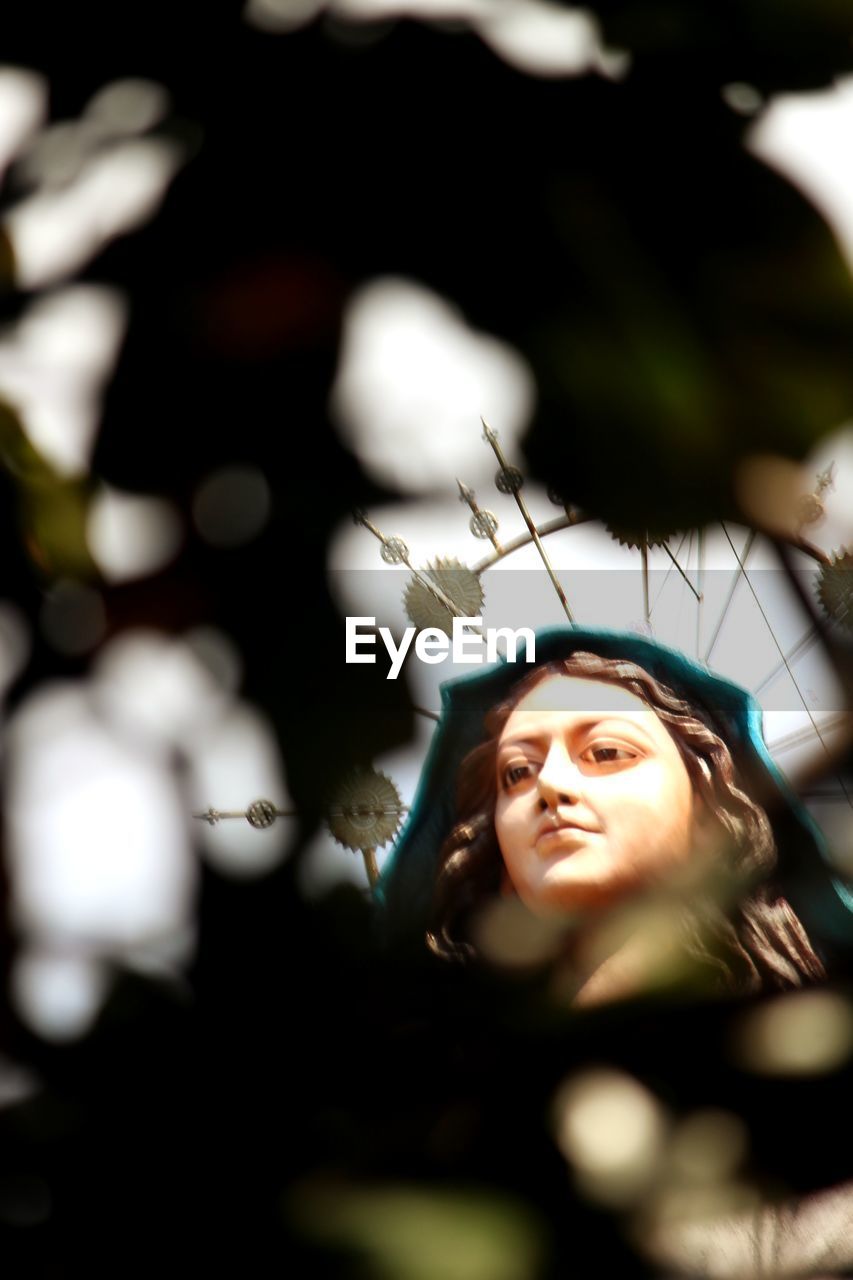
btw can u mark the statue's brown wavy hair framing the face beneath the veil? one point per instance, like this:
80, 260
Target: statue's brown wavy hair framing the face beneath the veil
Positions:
759, 944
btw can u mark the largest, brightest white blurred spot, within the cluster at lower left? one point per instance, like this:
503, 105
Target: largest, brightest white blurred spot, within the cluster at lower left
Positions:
99, 847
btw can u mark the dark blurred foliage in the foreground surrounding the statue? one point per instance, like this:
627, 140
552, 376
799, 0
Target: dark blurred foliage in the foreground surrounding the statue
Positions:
681, 307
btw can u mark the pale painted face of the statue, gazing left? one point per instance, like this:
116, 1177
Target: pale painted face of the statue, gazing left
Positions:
594, 799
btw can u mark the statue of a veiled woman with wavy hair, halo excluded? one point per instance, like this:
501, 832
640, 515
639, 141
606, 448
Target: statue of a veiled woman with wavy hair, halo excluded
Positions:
613, 774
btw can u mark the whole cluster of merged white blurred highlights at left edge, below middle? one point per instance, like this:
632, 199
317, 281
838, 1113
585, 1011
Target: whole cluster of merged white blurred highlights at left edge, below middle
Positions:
103, 778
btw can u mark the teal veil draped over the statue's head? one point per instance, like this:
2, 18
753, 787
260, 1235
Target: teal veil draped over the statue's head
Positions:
805, 874
